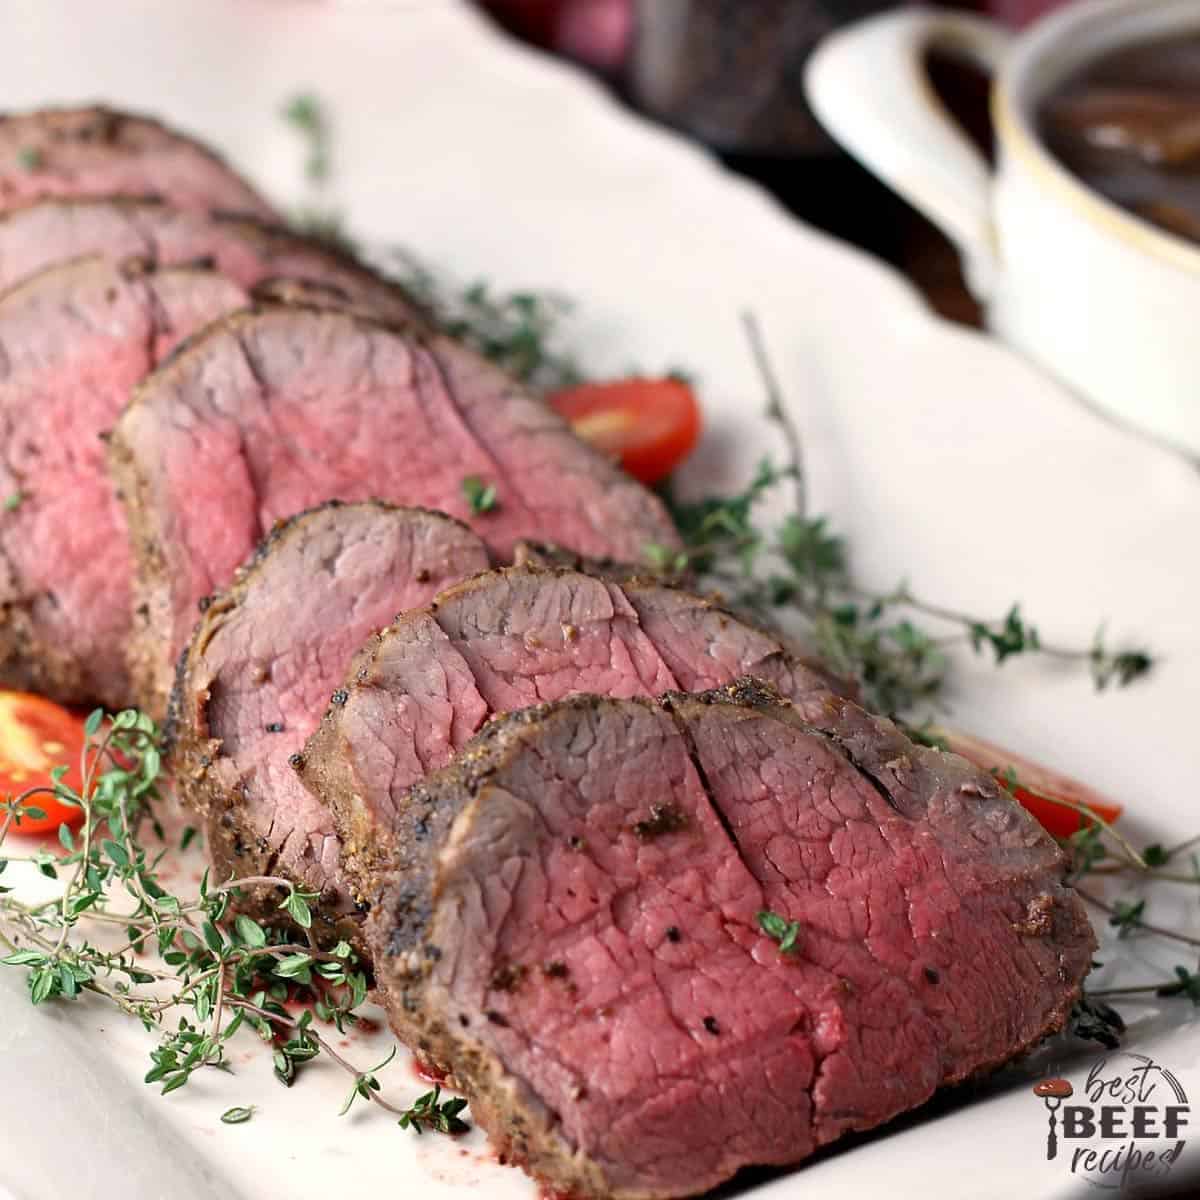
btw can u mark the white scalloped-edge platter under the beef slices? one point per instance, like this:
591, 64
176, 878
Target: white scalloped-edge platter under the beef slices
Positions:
943, 458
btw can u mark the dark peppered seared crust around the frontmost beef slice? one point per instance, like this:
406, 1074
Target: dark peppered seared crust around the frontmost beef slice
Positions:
401, 931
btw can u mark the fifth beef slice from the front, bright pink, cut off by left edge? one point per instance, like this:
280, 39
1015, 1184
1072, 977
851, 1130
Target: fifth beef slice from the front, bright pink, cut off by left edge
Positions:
74, 341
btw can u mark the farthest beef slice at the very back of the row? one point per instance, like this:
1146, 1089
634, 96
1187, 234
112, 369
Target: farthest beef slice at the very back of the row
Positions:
100, 152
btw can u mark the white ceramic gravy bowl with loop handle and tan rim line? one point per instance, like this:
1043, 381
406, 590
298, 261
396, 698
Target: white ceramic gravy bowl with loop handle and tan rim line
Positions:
1102, 299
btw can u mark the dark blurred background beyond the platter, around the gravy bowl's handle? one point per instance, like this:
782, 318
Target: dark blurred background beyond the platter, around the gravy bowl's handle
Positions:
729, 73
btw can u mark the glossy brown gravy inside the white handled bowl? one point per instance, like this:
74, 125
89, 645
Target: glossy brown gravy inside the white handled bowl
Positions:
1129, 125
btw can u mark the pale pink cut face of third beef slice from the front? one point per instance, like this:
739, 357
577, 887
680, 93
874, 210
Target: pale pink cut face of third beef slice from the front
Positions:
335, 577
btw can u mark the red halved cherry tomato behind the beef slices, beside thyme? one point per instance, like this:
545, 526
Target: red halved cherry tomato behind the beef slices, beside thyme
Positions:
650, 425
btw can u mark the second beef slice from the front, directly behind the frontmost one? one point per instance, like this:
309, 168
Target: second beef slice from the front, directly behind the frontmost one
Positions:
425, 686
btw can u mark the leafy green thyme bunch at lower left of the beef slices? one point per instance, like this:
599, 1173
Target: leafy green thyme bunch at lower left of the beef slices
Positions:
217, 970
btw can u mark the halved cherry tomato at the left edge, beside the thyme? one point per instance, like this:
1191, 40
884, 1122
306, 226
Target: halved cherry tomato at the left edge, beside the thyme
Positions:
37, 736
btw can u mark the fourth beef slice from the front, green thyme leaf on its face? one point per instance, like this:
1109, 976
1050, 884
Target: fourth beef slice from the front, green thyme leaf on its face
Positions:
280, 409
